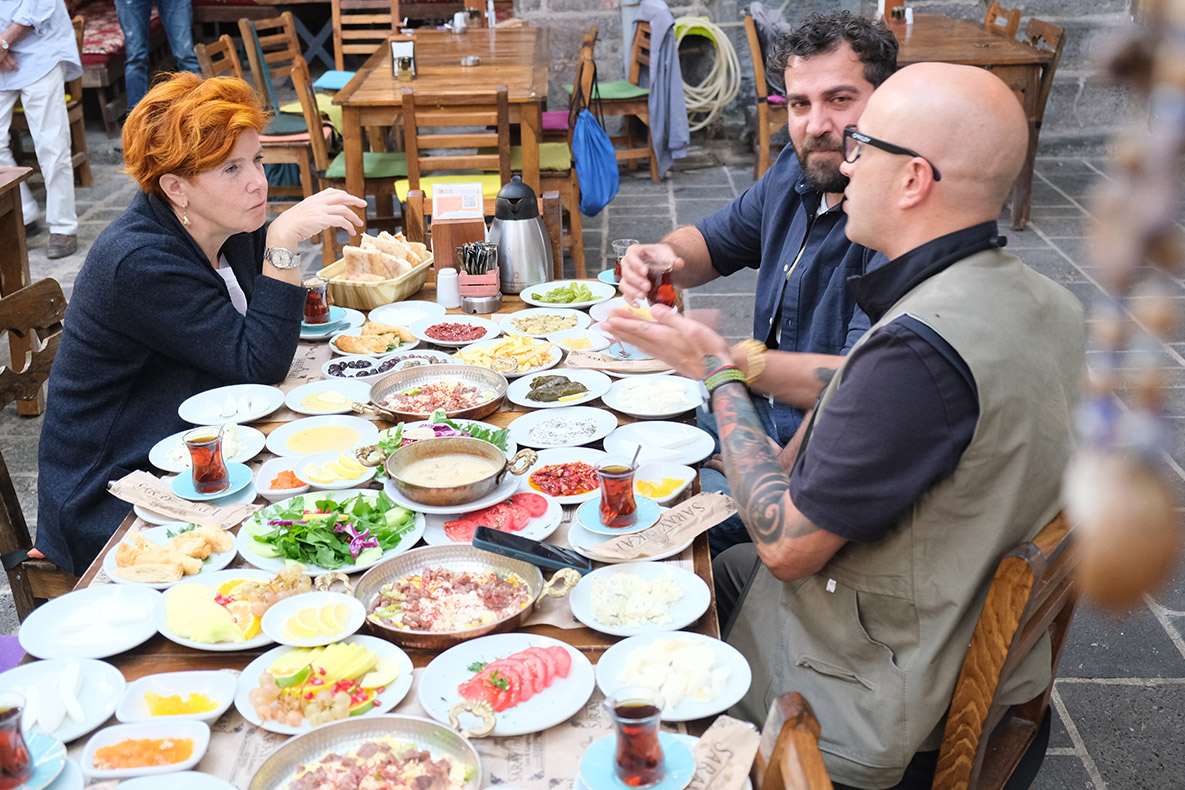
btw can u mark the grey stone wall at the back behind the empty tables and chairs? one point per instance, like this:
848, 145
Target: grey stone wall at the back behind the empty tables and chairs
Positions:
1084, 112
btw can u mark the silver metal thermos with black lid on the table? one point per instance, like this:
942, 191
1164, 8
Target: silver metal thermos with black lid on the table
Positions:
524, 251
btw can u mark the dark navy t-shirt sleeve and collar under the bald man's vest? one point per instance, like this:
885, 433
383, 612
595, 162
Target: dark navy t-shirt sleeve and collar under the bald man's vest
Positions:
905, 414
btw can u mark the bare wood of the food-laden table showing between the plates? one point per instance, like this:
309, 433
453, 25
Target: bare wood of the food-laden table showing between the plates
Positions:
164, 656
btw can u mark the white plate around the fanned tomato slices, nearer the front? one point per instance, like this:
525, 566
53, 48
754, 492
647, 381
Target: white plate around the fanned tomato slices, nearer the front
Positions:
552, 706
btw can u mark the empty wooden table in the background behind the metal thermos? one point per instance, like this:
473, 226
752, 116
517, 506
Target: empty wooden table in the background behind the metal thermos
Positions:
516, 59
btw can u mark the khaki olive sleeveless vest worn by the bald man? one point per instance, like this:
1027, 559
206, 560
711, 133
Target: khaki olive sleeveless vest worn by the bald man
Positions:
876, 639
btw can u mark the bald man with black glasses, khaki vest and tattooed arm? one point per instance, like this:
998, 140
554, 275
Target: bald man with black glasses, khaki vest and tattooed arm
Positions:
937, 448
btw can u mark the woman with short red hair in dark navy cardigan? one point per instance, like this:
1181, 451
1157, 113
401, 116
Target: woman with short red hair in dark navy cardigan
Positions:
188, 290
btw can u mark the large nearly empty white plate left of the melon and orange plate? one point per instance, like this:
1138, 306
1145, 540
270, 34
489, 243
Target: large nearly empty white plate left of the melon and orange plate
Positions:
91, 624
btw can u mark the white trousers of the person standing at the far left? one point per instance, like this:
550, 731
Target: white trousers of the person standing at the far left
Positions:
46, 110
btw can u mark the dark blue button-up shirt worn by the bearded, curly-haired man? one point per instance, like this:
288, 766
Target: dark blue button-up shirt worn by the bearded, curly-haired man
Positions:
815, 309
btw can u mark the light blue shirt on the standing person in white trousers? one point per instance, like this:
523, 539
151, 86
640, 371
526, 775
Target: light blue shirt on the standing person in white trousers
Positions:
52, 42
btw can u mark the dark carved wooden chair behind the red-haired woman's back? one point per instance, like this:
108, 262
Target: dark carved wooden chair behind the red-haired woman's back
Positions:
35, 313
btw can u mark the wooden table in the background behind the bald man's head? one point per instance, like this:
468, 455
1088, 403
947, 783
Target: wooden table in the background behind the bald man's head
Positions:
938, 38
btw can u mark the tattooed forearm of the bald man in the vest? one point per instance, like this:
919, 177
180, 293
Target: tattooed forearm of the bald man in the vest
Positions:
760, 486
